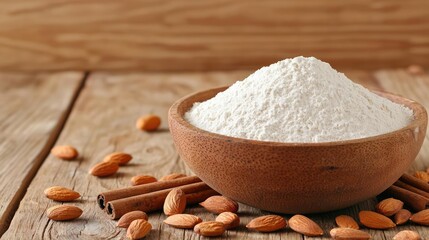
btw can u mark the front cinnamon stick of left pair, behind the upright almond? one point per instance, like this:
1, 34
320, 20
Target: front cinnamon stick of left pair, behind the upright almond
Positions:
195, 192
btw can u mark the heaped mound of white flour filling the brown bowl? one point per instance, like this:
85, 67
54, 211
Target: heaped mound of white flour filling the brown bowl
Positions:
298, 100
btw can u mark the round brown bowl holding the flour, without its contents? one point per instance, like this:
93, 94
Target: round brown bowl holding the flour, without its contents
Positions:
297, 177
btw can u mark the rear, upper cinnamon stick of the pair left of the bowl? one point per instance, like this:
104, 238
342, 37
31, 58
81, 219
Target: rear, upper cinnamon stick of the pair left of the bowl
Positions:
108, 196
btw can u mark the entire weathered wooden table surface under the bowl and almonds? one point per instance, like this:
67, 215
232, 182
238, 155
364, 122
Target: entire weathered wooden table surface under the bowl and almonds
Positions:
96, 113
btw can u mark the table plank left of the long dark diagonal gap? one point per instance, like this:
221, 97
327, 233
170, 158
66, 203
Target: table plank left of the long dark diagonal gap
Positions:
33, 109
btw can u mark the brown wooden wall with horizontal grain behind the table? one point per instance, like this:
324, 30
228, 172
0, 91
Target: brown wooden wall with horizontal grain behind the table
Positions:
210, 34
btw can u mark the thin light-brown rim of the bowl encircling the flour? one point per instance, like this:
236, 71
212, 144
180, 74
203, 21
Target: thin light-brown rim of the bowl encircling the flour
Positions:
419, 114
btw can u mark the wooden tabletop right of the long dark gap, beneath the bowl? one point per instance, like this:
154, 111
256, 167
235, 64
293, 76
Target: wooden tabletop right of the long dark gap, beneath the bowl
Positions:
103, 121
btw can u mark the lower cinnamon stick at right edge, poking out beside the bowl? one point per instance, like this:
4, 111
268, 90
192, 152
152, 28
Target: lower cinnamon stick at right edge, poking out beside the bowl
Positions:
414, 200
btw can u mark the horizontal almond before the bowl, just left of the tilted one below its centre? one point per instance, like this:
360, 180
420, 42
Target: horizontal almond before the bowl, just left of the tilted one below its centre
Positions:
267, 223
